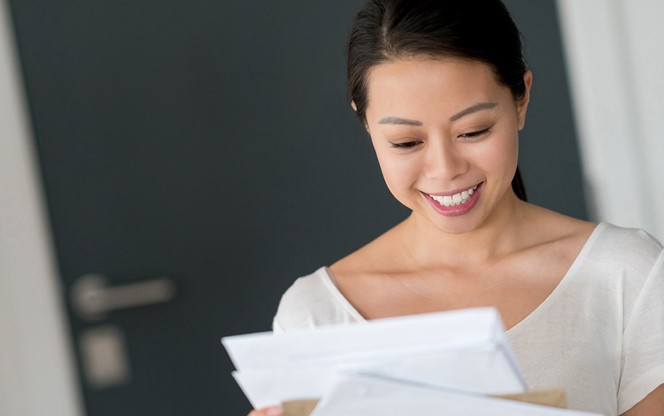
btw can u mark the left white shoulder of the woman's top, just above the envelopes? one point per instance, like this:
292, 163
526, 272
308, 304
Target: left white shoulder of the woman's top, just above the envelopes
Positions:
310, 302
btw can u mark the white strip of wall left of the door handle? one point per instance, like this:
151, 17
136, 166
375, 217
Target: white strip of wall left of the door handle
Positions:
36, 370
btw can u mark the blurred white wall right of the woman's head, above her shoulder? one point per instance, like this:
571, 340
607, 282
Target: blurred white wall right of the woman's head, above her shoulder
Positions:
616, 70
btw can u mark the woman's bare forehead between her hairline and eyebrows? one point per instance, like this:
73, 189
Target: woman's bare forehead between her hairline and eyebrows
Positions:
413, 85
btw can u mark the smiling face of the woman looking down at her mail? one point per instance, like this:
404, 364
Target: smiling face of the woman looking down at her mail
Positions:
446, 136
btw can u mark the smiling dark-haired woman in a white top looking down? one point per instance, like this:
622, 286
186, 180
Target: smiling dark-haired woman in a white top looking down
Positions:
442, 89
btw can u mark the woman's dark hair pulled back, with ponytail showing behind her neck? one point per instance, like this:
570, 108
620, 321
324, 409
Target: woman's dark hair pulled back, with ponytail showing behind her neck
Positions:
481, 30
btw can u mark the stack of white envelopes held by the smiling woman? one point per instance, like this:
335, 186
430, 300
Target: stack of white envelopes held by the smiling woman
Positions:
447, 361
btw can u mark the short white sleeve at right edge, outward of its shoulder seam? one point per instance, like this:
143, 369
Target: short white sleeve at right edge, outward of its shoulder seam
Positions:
643, 341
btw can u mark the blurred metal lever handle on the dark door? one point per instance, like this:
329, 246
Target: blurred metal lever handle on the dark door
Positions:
93, 298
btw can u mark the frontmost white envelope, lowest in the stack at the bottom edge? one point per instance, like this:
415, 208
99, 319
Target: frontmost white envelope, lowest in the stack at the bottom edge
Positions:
371, 396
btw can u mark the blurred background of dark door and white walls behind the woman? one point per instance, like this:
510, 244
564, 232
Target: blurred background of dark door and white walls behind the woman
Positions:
167, 169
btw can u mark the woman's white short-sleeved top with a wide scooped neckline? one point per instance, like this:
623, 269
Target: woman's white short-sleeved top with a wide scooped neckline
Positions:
599, 334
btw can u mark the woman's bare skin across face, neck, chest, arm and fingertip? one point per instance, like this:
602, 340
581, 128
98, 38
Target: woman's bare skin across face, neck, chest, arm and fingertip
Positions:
454, 127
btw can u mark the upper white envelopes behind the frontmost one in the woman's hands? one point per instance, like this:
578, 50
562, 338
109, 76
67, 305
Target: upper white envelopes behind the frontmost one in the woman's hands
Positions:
465, 350
